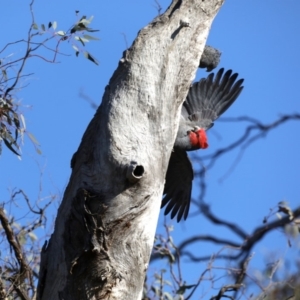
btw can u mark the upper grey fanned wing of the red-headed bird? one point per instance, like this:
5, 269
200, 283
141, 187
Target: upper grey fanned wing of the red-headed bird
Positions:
211, 97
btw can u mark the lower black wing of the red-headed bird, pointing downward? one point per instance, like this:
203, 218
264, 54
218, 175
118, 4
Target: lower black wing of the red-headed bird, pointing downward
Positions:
178, 186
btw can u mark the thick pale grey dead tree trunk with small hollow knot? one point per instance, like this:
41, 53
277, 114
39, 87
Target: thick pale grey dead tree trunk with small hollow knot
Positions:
106, 223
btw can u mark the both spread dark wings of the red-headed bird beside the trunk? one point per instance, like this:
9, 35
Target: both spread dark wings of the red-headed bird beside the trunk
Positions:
206, 101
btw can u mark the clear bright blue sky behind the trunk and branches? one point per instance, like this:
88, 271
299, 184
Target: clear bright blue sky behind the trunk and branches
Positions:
259, 39
